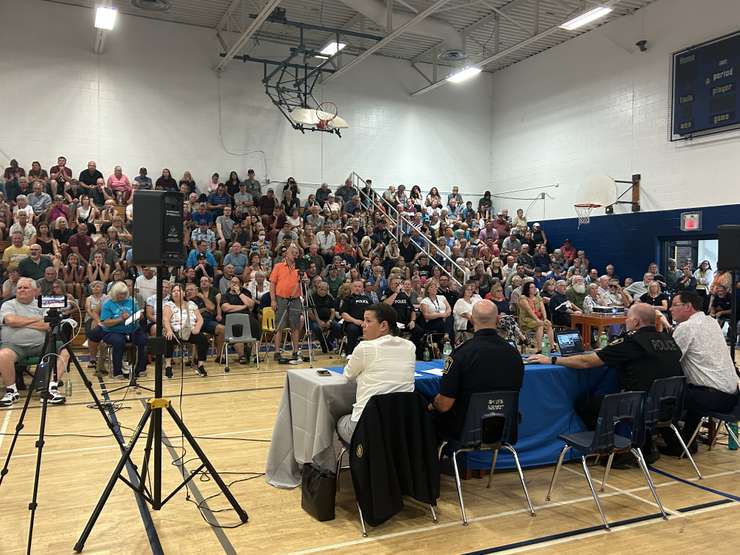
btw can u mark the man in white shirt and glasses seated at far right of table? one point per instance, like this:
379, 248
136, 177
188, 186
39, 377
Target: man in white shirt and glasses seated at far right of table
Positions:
712, 382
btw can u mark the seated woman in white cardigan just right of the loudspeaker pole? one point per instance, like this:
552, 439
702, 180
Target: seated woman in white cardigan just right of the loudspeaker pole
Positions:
182, 324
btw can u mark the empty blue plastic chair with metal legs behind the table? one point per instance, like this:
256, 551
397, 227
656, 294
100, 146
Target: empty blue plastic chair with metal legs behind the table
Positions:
625, 409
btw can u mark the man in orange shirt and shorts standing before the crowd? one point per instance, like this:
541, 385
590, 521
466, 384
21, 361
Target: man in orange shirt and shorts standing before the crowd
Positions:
285, 298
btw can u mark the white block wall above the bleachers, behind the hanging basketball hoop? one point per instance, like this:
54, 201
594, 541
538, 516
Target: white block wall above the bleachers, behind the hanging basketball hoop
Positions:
152, 99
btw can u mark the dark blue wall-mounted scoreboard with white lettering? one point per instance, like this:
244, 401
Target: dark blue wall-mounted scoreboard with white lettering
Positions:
705, 81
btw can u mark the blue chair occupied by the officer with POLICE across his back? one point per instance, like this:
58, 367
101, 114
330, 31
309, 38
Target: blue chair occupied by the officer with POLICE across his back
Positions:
663, 408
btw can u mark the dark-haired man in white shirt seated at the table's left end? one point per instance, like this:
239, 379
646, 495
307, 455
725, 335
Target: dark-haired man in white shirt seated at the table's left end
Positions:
381, 363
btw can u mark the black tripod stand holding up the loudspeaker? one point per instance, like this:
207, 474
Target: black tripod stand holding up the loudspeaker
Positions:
153, 417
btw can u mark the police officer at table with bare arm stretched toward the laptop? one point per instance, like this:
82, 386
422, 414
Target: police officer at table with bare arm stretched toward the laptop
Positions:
640, 357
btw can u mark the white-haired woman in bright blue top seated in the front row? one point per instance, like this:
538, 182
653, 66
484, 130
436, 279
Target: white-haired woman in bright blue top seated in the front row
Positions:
118, 328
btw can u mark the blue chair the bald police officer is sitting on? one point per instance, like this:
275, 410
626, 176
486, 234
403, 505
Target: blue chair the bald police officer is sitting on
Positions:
491, 424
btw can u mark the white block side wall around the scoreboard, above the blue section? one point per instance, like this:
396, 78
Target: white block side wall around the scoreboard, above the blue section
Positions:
596, 105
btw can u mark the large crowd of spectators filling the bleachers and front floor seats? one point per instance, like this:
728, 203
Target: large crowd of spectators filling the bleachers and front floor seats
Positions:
248, 247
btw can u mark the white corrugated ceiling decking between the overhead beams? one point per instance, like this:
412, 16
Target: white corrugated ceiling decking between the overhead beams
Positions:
522, 19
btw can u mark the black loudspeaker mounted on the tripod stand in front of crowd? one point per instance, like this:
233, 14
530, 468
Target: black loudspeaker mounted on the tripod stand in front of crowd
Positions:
158, 228
